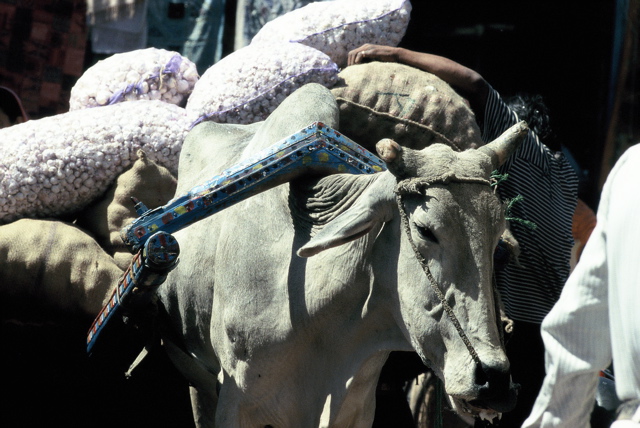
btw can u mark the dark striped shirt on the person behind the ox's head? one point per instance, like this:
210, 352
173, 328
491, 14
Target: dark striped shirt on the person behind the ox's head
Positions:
549, 187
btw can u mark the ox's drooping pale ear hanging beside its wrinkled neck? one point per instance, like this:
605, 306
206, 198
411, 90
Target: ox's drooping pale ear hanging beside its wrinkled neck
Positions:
374, 206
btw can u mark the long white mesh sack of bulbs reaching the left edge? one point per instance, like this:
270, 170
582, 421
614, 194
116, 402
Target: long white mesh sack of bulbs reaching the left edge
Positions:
59, 164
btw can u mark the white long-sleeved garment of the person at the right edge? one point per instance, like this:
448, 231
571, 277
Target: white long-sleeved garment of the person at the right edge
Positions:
597, 317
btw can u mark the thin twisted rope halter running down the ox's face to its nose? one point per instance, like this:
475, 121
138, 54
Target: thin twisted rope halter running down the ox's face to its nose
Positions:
412, 185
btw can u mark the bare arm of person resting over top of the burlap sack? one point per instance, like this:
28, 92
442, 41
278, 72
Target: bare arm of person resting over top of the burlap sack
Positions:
466, 81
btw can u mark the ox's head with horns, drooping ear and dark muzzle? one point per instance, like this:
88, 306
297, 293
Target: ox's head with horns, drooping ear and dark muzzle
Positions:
452, 221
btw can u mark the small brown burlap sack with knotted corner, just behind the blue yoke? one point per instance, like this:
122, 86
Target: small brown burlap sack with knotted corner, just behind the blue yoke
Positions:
148, 182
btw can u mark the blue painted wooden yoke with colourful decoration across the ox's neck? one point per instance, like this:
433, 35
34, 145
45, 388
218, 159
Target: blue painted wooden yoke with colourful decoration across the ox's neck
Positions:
316, 149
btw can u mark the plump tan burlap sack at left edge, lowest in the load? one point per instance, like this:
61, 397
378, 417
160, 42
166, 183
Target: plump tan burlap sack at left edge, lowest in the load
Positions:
55, 264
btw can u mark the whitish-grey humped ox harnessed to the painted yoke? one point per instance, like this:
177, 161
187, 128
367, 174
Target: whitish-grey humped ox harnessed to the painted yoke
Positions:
268, 338
